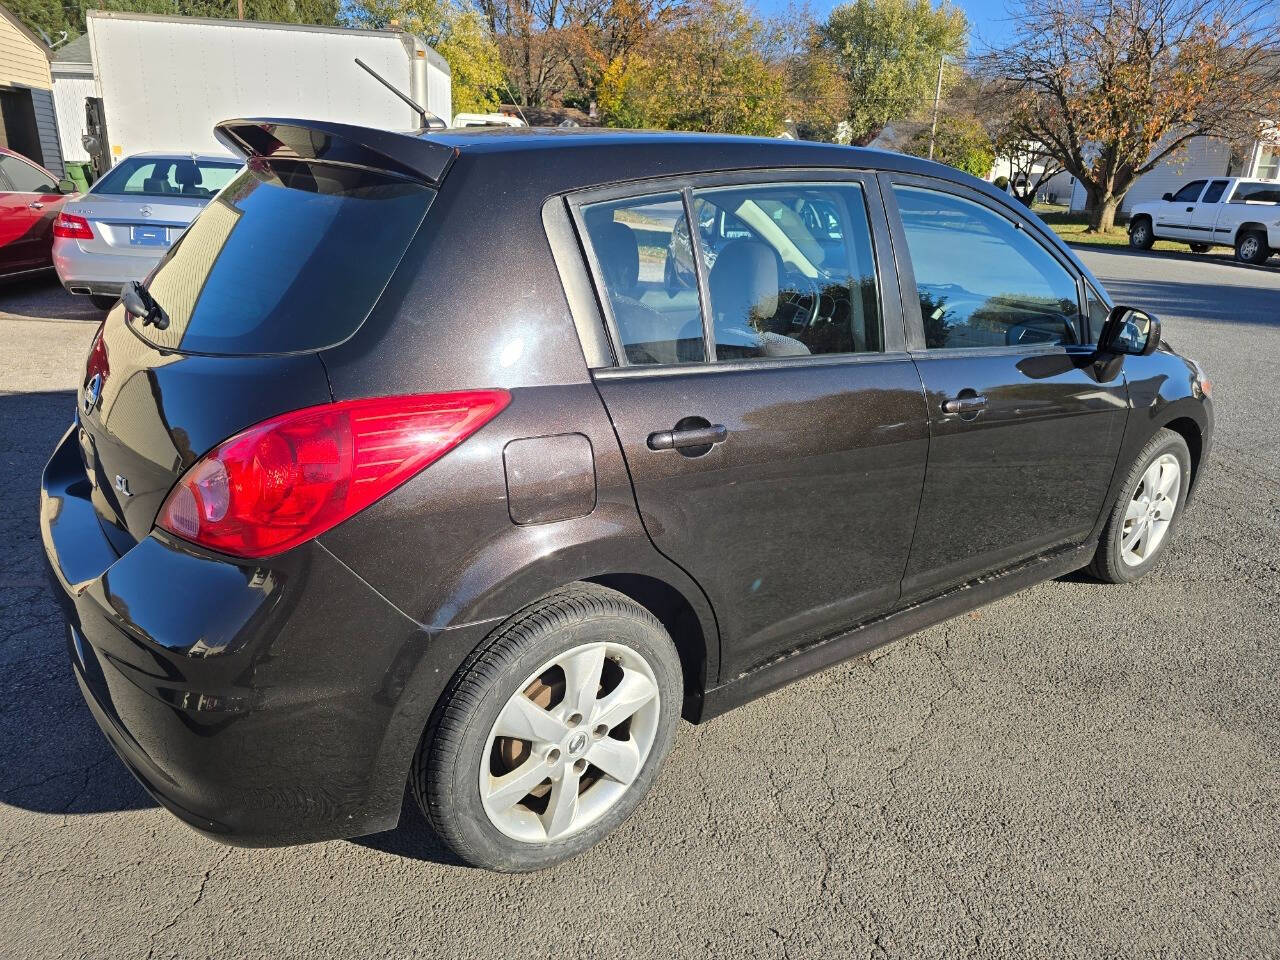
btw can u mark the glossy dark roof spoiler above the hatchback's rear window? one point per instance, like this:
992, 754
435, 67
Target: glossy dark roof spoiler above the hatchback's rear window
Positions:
337, 144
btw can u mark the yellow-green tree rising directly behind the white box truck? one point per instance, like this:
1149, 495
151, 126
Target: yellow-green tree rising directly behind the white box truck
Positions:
460, 35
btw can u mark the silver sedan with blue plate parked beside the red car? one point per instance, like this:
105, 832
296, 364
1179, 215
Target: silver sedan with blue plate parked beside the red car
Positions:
129, 220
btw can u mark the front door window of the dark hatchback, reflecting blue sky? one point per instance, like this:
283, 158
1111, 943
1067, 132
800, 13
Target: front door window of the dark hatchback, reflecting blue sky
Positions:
984, 281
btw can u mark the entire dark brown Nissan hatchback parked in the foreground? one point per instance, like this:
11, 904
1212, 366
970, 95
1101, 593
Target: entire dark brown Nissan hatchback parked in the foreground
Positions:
378, 483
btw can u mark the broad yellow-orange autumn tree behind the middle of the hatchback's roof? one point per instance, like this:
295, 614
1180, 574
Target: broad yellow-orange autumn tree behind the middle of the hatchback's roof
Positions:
706, 74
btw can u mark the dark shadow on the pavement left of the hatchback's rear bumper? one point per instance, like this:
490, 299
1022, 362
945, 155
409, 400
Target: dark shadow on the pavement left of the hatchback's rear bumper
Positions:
54, 757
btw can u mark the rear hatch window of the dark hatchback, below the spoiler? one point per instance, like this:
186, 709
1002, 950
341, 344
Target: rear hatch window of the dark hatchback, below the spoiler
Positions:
290, 258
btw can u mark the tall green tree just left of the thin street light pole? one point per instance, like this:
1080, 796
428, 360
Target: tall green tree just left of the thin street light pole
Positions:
886, 54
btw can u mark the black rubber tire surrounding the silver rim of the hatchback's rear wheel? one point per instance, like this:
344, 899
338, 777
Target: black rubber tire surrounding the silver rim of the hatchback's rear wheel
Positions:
446, 772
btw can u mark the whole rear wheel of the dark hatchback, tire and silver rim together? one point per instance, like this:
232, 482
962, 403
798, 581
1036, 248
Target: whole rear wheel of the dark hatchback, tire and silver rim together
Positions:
551, 734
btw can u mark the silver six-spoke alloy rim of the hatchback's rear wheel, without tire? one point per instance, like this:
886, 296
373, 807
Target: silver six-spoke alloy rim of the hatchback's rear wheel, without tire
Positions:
569, 744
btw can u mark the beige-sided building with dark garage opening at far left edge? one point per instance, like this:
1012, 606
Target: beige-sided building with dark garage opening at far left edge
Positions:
28, 120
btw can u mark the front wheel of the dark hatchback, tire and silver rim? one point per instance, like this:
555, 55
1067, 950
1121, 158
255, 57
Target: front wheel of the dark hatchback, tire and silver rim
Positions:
1148, 511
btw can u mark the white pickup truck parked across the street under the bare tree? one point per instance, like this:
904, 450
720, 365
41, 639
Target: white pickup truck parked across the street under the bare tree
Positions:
1227, 211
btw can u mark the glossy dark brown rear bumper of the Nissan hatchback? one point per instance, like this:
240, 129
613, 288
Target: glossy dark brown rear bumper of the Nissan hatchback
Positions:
262, 703
